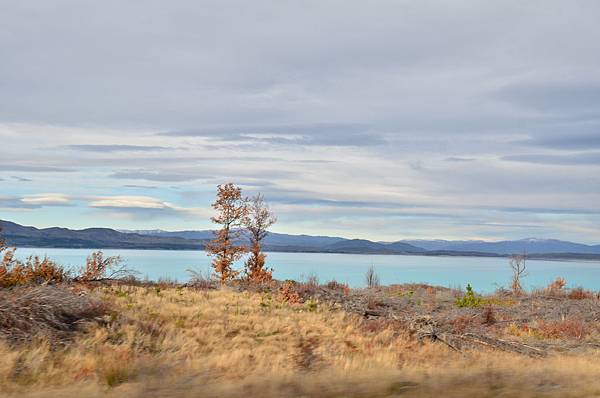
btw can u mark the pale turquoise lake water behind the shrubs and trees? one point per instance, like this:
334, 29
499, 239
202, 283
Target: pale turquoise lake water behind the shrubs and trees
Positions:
485, 274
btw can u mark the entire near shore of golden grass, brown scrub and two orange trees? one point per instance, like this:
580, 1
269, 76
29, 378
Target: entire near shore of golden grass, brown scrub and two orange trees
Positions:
98, 331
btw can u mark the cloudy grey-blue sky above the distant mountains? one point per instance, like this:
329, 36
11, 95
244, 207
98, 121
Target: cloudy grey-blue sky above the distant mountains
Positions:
383, 120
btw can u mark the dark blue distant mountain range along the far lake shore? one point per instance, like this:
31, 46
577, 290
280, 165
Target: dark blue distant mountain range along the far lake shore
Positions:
105, 238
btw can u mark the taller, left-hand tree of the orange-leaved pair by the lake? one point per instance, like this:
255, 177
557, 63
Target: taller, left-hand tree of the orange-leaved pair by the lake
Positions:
225, 248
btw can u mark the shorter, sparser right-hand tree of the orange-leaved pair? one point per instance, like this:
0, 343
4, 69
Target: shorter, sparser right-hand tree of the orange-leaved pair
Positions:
257, 221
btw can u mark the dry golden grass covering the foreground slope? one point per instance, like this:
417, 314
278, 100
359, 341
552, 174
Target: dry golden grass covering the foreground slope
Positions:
180, 342
